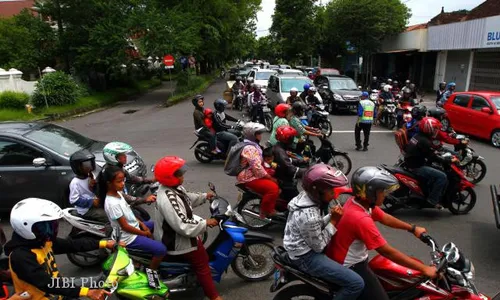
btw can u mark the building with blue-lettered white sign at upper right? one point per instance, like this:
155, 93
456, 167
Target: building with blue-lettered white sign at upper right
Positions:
461, 46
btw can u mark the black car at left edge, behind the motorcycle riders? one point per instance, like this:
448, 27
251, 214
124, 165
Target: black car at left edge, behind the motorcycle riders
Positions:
34, 161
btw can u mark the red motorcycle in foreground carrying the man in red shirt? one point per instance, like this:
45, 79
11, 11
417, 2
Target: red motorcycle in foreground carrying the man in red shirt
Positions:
399, 282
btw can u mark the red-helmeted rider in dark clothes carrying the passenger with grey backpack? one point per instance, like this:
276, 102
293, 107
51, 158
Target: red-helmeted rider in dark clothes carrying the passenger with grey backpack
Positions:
288, 169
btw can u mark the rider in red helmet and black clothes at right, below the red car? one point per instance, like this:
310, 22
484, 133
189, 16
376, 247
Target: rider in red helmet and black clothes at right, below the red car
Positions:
420, 151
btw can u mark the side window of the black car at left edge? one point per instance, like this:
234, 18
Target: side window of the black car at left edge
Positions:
15, 154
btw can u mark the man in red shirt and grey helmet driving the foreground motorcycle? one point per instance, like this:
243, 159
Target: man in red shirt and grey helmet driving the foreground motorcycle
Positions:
357, 232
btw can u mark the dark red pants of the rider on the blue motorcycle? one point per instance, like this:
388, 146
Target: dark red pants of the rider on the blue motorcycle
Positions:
199, 262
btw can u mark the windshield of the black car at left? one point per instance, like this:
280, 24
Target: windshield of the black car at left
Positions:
59, 139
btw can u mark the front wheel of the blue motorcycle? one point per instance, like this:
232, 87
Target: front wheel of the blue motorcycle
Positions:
254, 266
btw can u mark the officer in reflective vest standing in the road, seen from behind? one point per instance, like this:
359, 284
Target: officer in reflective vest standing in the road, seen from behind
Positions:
366, 111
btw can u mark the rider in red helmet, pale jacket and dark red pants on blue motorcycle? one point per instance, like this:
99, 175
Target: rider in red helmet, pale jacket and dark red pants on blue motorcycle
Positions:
177, 226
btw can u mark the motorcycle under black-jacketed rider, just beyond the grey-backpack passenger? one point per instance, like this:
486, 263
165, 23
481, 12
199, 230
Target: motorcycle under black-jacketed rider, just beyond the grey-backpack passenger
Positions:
202, 151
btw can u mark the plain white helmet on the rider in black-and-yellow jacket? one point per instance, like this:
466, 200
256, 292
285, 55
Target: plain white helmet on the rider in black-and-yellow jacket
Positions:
29, 211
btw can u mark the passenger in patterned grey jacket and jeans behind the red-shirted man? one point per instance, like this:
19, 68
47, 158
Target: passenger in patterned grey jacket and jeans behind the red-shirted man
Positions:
307, 233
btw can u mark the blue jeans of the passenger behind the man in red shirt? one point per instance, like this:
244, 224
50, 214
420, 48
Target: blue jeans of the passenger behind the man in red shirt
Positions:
319, 265
